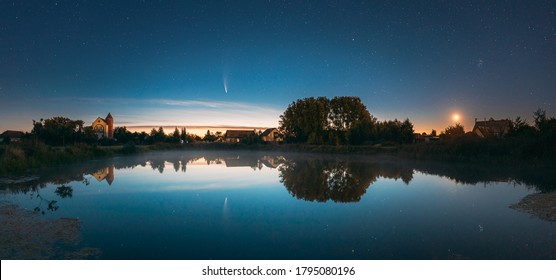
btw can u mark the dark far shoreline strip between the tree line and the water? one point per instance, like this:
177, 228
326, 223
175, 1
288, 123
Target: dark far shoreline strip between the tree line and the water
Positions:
21, 159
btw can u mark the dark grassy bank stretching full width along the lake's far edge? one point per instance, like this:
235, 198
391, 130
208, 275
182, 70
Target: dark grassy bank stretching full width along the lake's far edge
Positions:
18, 158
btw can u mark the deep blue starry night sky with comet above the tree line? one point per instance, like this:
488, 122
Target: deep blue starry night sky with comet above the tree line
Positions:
240, 63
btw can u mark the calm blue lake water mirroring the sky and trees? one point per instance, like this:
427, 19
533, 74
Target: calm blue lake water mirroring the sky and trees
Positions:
252, 205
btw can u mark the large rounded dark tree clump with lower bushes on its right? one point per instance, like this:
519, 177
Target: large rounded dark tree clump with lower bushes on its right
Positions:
340, 121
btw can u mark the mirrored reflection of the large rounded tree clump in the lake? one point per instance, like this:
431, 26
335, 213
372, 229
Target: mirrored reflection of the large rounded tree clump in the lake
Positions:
339, 180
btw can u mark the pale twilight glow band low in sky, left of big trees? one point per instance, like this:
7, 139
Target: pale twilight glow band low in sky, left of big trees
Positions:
154, 113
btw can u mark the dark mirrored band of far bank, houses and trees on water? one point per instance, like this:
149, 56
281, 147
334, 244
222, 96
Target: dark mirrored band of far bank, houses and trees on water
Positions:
311, 178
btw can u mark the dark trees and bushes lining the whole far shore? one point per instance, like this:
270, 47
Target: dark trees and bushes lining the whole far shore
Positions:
338, 121
